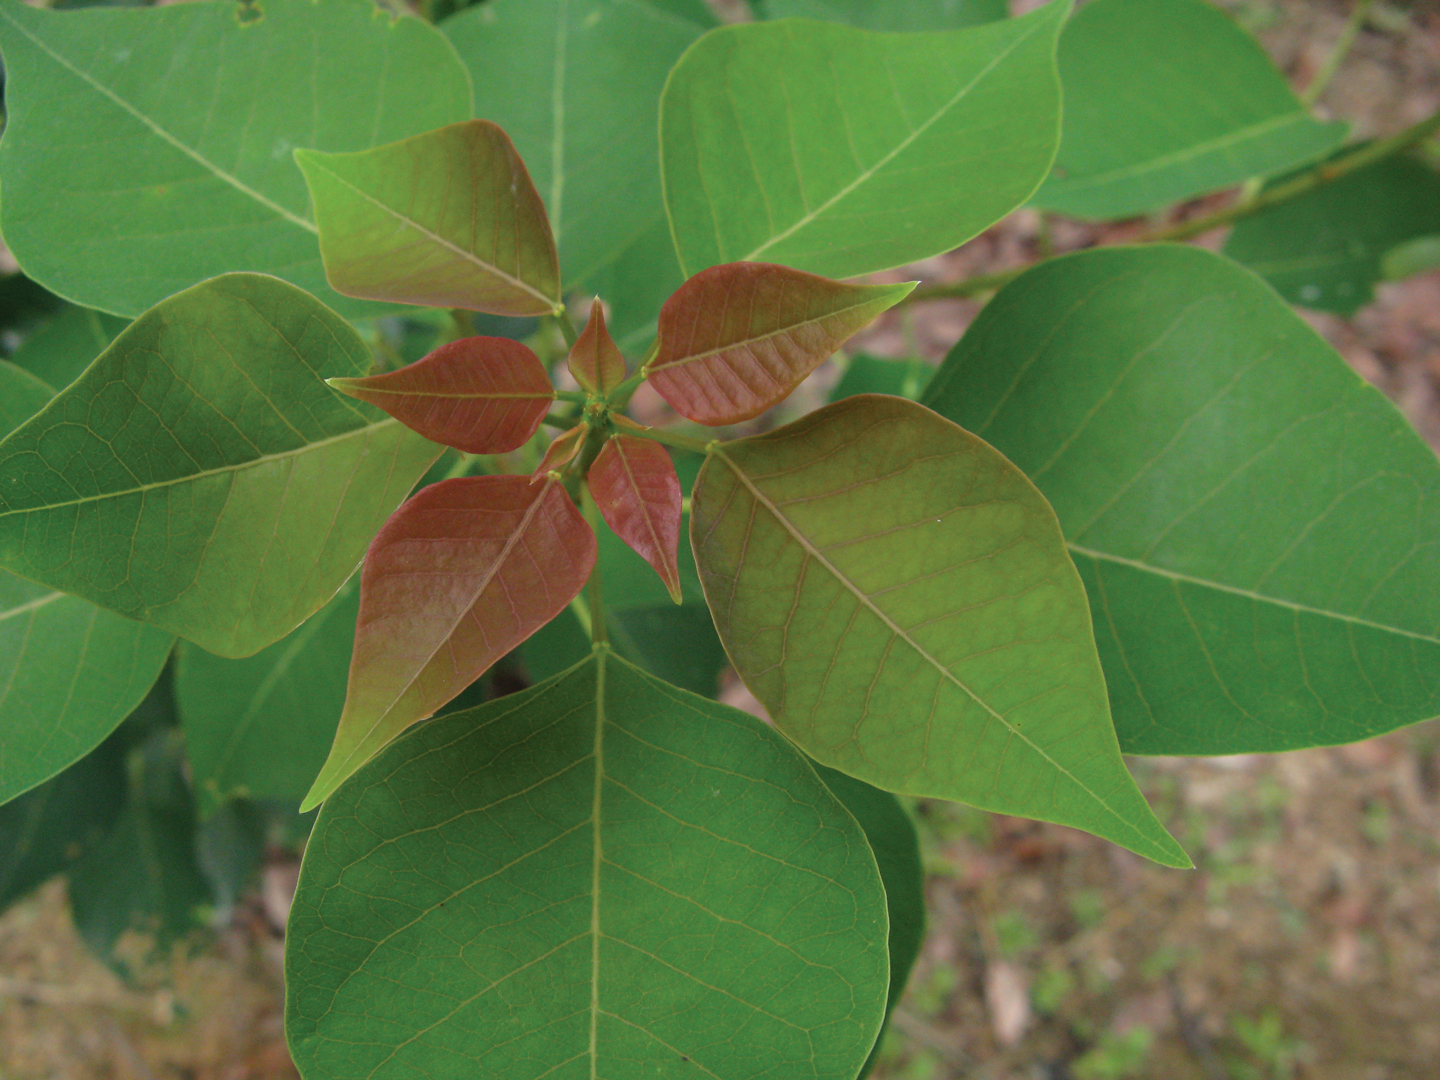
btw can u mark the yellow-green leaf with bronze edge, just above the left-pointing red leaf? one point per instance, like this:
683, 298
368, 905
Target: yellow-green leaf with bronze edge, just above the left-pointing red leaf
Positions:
446, 220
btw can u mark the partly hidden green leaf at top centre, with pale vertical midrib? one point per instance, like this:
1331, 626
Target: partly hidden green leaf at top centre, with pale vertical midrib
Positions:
577, 84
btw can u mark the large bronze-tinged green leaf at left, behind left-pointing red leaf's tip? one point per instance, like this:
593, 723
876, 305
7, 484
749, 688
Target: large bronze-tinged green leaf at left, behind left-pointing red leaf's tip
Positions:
201, 476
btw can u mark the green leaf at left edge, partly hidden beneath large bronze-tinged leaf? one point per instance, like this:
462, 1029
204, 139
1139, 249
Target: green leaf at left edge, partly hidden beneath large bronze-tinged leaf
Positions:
68, 670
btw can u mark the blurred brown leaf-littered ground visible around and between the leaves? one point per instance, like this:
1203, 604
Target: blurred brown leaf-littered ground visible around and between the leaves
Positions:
1307, 944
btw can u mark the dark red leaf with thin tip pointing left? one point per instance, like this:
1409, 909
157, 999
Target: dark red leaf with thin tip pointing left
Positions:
482, 395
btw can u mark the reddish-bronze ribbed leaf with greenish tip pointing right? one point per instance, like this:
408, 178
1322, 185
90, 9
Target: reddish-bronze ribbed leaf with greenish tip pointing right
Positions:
738, 339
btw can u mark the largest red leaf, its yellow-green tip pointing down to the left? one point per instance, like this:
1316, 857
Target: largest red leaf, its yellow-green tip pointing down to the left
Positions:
459, 577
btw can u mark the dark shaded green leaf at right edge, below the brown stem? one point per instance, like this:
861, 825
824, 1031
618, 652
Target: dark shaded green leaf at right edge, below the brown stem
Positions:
1326, 248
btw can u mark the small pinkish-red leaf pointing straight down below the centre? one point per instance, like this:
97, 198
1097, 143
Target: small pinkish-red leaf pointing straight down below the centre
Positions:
636, 487
